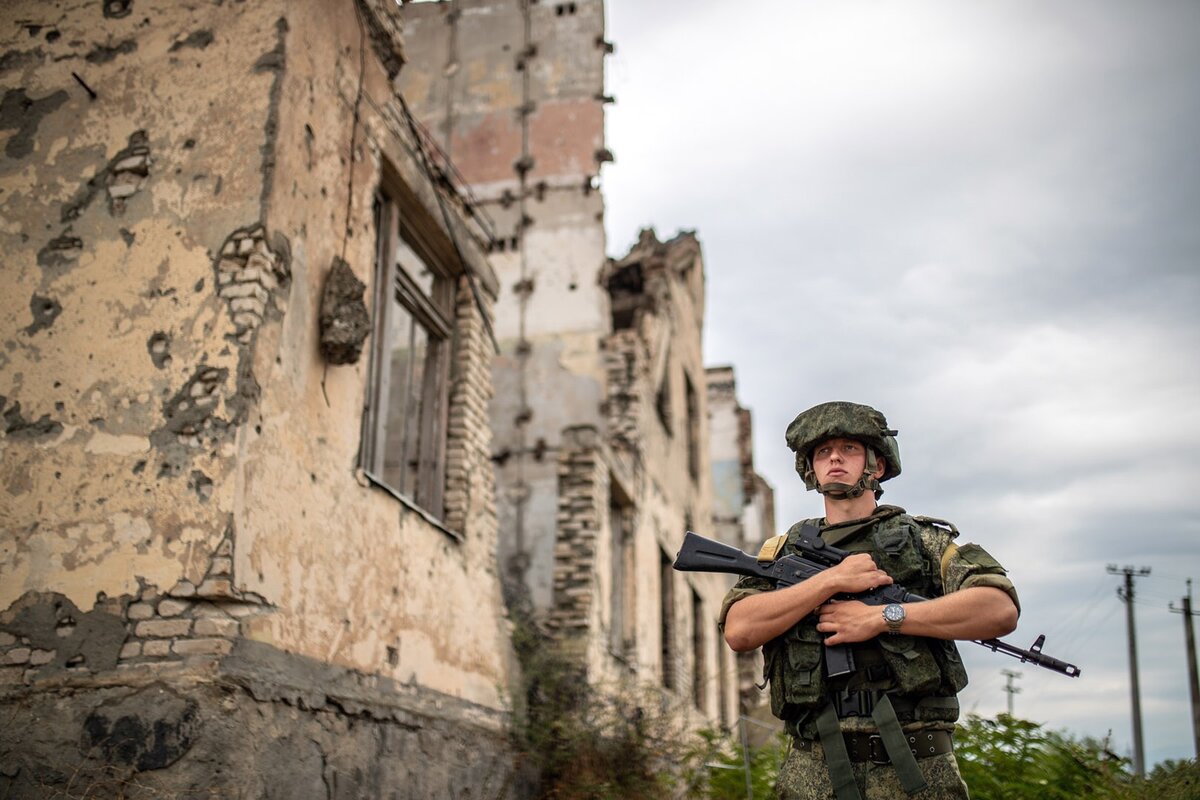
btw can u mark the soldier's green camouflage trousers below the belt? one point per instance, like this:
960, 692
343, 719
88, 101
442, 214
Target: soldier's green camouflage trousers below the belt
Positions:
805, 777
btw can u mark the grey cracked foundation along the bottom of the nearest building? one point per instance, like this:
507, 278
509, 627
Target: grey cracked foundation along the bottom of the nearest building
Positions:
259, 724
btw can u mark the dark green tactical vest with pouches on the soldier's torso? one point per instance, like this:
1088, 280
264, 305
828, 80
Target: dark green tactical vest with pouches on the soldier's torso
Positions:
907, 666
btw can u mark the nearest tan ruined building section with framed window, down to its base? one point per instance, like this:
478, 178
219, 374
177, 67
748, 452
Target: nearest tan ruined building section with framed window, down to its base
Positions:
218, 574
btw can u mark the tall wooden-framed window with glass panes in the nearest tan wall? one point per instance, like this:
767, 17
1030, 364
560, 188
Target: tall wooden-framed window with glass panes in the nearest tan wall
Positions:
405, 429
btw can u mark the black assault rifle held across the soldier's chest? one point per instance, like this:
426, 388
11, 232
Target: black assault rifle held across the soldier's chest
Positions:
700, 555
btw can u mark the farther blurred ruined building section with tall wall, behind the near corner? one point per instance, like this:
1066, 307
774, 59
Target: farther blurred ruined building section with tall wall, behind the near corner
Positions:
602, 422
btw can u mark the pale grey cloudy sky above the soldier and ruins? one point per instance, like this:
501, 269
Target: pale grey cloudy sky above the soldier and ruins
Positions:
985, 220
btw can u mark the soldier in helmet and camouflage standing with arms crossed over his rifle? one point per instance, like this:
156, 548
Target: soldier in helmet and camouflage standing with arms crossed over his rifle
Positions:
885, 730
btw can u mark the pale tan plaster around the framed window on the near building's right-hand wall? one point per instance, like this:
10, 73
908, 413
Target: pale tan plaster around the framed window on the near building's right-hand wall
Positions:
376, 610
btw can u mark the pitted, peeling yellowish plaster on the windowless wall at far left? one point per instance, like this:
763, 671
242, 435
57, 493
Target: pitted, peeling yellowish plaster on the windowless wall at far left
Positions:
100, 502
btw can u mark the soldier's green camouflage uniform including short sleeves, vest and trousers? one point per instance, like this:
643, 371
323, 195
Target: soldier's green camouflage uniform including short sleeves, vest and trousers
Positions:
920, 676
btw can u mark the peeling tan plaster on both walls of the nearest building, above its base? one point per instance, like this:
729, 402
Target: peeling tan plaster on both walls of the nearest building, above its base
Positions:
107, 495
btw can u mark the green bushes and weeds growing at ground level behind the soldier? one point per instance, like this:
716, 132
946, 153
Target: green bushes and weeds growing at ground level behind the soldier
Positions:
581, 742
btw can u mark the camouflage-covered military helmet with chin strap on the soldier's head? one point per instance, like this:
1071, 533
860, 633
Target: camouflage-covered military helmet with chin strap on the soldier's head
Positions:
848, 422
